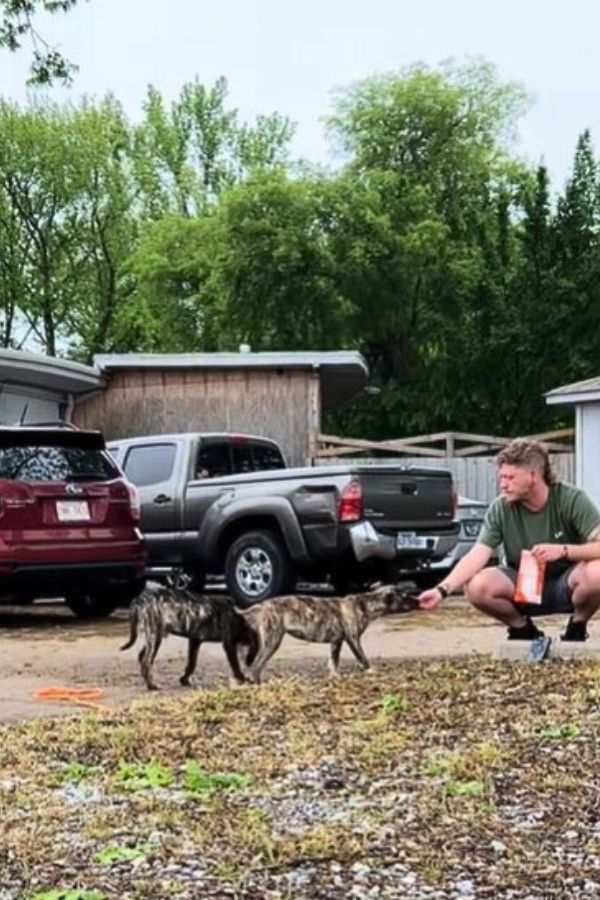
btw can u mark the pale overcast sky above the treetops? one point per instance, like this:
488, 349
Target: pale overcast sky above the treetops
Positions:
289, 57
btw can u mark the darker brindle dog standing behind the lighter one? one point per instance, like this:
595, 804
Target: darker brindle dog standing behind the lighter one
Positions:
161, 610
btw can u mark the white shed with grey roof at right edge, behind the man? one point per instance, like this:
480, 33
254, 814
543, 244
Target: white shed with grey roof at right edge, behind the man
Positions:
585, 397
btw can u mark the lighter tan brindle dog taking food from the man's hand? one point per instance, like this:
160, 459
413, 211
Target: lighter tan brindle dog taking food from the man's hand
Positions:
322, 620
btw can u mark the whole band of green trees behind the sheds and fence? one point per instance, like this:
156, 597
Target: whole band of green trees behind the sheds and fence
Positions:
432, 248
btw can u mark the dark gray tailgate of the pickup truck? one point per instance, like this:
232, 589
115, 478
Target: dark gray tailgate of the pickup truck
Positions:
405, 498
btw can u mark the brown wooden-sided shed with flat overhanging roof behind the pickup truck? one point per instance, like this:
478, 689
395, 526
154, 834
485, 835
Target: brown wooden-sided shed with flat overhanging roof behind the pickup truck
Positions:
280, 395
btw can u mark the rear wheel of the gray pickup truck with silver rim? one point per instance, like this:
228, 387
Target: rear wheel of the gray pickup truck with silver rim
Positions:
257, 566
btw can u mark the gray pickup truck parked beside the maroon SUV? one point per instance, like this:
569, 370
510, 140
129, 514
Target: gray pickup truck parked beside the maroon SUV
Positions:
226, 504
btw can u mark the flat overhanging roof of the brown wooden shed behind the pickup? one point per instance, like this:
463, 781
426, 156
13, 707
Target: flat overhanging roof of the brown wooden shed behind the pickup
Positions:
343, 373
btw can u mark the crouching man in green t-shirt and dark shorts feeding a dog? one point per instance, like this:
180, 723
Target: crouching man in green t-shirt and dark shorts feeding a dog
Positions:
557, 522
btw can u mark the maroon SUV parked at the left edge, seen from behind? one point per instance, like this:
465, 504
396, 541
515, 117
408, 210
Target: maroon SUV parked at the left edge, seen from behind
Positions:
68, 521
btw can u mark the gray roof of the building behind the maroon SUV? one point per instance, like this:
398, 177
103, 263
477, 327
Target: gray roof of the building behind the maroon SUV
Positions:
49, 373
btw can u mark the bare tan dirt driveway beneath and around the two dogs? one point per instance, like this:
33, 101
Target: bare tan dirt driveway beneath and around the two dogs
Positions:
45, 645
